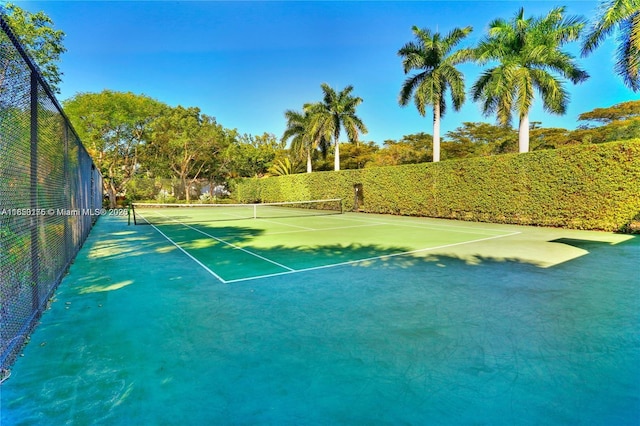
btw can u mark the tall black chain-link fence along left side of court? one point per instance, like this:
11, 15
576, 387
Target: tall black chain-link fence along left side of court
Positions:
50, 195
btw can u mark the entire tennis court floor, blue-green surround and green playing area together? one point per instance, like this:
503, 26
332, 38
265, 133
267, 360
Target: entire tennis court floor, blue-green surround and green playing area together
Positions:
337, 319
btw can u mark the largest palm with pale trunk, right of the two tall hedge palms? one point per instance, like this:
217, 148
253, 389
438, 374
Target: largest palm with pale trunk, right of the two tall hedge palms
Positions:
530, 58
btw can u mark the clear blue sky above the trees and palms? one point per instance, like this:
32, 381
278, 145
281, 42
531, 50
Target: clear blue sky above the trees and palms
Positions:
247, 62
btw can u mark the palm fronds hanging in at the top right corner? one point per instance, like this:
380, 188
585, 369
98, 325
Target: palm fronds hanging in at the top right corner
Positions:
625, 15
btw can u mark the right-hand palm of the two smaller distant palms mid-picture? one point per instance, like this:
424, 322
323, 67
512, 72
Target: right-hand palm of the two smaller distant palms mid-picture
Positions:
336, 110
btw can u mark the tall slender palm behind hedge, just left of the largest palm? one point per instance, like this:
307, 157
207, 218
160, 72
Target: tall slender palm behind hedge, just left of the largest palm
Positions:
431, 53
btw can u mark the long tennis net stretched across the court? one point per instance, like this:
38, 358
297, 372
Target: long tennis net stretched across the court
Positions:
162, 213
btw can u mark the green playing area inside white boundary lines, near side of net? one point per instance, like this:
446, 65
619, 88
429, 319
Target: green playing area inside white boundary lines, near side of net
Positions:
284, 243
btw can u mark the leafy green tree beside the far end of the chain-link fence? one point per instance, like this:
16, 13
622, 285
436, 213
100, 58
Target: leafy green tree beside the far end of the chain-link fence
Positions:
113, 127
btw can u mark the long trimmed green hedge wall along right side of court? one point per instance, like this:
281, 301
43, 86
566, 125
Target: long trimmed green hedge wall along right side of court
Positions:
582, 187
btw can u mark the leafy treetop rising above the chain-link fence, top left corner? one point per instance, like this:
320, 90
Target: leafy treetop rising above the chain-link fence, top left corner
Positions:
42, 42
